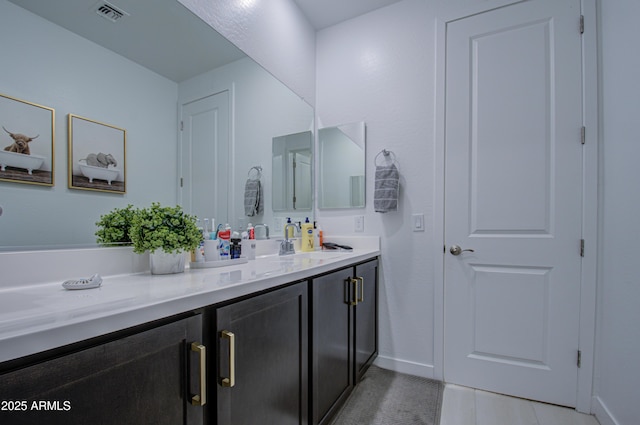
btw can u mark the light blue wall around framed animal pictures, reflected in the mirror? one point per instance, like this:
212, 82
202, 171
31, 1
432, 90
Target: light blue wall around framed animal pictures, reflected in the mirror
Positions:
48, 65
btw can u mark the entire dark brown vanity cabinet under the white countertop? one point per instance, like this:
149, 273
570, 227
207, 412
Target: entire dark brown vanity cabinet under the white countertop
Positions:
285, 356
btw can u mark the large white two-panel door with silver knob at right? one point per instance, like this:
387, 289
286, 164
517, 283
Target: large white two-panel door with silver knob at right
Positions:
513, 195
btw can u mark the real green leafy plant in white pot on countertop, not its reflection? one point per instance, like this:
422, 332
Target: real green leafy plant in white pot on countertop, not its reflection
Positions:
166, 233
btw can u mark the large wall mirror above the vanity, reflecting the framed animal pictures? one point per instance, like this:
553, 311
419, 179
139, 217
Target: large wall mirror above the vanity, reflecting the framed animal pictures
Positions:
133, 72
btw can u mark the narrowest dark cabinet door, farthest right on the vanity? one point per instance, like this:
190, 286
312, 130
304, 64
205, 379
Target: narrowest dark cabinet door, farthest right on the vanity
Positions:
366, 317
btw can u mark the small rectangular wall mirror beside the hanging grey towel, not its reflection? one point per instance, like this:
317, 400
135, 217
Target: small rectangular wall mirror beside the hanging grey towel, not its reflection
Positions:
342, 166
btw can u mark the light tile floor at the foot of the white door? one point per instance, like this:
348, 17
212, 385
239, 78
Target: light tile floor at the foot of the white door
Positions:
466, 406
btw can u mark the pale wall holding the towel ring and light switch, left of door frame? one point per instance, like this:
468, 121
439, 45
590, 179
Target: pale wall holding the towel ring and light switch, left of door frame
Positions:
379, 68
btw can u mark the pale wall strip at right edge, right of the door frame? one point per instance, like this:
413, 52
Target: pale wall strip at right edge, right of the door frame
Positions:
618, 335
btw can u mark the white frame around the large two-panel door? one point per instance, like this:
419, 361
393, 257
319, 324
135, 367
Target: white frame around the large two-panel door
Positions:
590, 179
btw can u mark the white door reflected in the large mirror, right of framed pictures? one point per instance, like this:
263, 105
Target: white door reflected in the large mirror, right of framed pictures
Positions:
205, 157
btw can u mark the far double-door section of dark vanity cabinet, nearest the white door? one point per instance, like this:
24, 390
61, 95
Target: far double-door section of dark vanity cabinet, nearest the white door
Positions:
344, 330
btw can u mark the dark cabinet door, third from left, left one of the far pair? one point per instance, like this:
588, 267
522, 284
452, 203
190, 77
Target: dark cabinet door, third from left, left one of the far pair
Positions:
332, 357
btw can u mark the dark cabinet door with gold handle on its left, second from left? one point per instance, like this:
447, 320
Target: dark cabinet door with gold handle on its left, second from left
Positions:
263, 359
